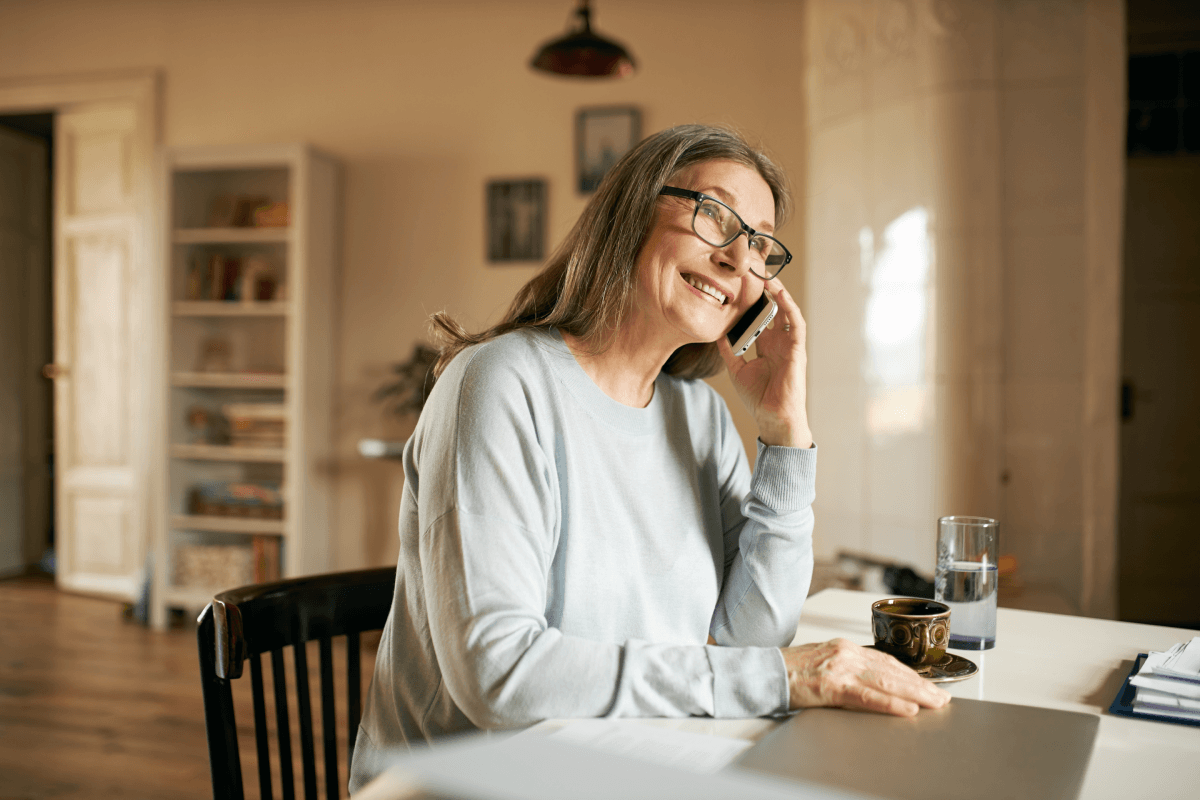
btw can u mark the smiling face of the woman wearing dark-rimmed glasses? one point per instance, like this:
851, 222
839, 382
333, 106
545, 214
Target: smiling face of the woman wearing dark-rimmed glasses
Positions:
688, 290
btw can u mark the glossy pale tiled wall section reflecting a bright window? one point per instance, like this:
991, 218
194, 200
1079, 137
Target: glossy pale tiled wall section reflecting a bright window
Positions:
964, 280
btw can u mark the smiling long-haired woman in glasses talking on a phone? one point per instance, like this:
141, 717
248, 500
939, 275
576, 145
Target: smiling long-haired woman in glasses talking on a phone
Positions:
581, 534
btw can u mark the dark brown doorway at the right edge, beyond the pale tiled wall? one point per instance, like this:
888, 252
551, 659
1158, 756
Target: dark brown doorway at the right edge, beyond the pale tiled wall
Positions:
1160, 498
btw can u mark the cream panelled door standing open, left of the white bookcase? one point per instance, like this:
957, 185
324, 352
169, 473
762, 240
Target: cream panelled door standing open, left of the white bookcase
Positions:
100, 346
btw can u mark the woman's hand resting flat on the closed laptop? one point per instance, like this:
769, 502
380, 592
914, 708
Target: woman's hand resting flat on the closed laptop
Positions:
844, 675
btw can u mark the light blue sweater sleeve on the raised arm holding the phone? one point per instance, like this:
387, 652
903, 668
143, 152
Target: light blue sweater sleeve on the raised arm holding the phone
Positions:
769, 543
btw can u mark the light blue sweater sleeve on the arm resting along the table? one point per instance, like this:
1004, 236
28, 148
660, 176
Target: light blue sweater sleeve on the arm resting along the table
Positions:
487, 557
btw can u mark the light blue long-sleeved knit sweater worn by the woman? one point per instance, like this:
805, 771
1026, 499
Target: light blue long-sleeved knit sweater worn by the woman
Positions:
566, 556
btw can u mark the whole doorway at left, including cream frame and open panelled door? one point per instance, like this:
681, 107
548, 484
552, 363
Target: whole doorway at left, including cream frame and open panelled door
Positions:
107, 363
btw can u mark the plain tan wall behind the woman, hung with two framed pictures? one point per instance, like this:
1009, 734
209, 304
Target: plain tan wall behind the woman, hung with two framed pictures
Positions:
423, 104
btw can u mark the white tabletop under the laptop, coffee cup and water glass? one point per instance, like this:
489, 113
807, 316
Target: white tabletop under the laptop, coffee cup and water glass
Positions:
1055, 661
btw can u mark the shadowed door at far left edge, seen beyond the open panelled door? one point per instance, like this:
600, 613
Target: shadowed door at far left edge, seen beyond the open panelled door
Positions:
23, 274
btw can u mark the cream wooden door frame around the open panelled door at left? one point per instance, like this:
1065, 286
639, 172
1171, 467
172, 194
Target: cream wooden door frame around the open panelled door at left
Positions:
142, 89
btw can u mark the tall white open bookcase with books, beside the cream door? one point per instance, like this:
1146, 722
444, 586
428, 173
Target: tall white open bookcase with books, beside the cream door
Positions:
273, 347
